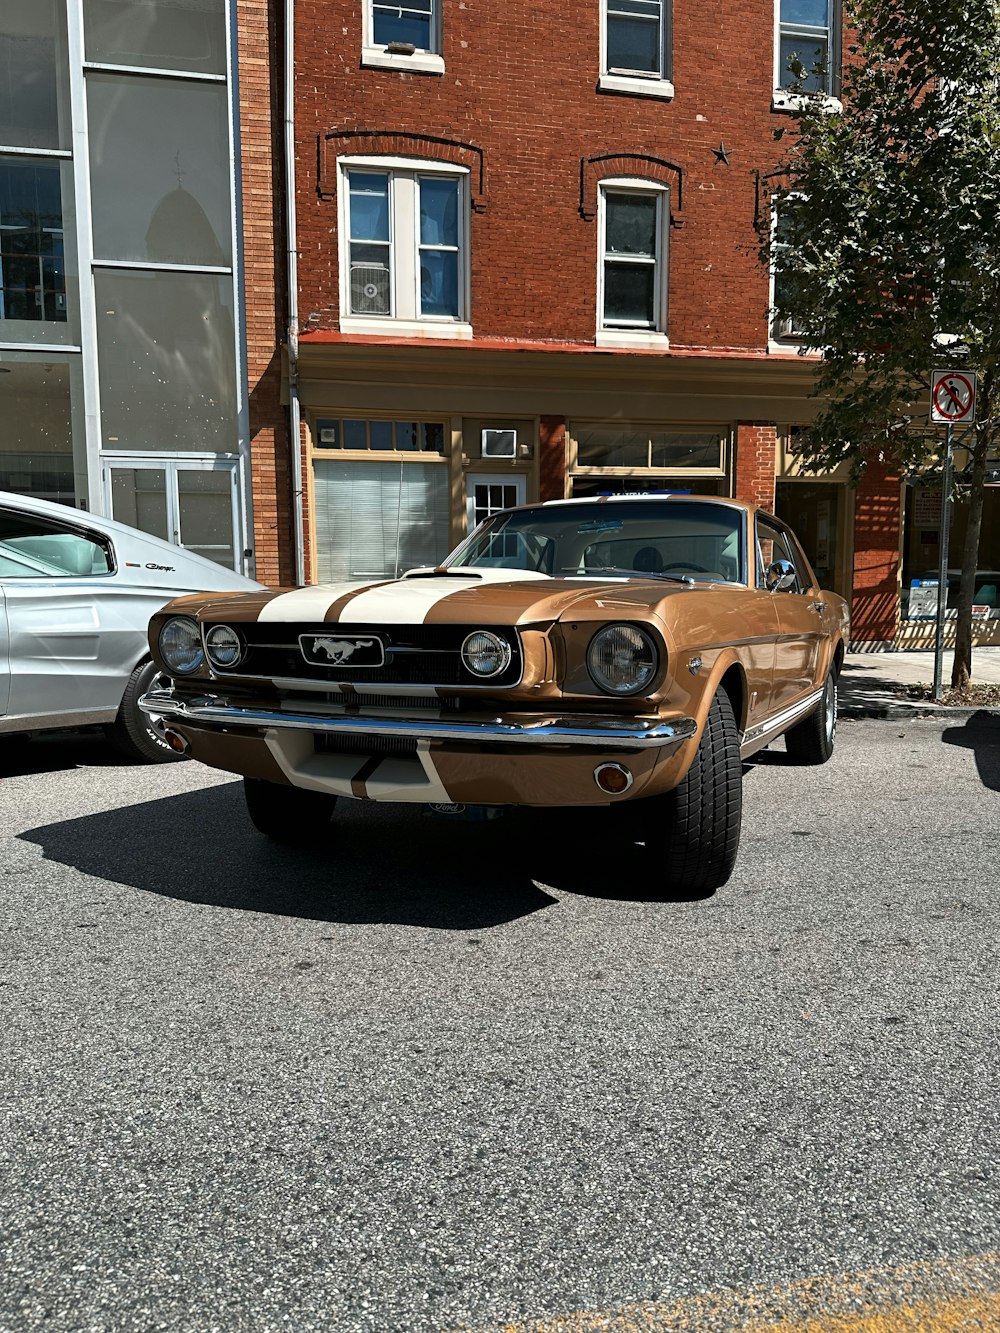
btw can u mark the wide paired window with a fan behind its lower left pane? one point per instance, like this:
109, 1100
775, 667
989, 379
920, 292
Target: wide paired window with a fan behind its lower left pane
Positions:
406, 253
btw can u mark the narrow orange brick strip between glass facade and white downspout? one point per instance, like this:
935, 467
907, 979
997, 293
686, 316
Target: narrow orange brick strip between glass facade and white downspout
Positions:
263, 222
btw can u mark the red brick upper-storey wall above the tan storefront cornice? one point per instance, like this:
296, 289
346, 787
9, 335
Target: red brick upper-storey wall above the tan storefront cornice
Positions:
519, 93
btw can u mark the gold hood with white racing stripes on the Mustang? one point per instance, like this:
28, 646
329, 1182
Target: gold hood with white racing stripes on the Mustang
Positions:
489, 597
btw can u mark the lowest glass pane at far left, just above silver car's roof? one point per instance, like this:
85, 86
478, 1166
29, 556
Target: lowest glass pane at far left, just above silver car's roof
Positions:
37, 441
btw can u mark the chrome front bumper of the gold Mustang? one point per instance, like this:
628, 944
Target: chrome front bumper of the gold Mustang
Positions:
601, 731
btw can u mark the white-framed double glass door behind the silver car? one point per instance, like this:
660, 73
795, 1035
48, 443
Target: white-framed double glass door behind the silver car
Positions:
191, 502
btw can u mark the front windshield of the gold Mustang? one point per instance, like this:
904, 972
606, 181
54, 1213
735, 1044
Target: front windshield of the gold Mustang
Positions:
643, 539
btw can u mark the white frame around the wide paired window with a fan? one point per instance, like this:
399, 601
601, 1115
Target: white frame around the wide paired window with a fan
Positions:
405, 231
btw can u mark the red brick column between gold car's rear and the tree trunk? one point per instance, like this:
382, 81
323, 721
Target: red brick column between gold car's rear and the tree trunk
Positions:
878, 531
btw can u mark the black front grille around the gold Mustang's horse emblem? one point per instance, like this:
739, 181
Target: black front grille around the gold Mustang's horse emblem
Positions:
414, 655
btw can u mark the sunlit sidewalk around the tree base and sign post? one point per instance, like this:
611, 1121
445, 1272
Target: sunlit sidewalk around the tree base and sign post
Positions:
866, 687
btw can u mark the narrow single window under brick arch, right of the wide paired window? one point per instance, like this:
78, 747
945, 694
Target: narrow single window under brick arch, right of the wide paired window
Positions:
634, 258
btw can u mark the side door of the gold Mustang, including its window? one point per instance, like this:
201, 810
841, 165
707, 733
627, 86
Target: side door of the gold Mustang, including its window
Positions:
799, 610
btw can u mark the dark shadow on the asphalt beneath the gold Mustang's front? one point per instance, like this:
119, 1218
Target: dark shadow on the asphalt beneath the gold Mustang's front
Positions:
386, 864
